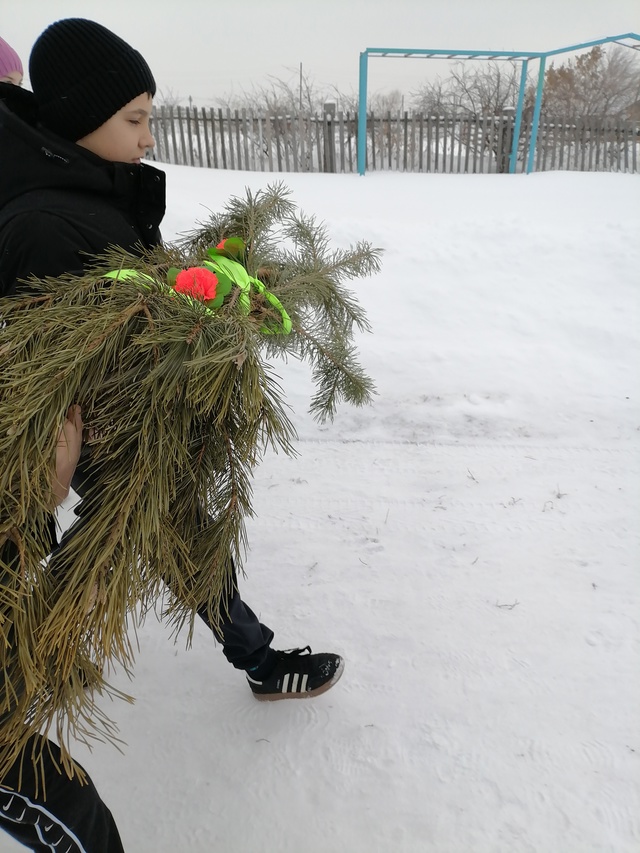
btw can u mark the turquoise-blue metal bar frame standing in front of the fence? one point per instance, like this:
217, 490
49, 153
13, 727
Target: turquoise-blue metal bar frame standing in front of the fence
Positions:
517, 56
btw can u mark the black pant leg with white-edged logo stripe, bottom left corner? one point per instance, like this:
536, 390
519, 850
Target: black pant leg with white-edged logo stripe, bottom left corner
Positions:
72, 818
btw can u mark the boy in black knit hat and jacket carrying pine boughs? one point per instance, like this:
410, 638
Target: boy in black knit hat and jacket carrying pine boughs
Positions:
72, 184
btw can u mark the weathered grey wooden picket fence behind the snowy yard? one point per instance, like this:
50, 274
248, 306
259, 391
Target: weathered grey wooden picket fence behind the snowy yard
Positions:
222, 139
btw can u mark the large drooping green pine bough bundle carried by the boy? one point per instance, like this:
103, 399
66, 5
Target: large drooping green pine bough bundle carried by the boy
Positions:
180, 402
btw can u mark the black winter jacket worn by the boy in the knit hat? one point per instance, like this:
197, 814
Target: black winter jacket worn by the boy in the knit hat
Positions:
61, 204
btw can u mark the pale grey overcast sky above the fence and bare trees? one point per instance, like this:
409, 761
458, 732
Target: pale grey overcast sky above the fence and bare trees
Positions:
209, 48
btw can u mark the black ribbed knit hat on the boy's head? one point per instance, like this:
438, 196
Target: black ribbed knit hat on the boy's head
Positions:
81, 74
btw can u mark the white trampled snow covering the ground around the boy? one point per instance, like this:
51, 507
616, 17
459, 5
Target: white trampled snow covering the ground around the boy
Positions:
469, 543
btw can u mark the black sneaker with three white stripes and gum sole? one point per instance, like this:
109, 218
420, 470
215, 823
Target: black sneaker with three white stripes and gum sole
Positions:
298, 674
